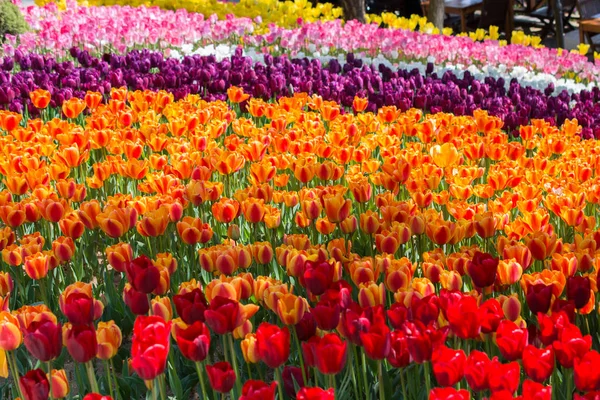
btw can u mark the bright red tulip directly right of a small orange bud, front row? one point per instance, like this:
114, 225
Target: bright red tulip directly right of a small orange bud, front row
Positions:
273, 344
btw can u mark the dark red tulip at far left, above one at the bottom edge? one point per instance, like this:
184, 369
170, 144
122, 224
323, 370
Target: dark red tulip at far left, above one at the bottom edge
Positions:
43, 339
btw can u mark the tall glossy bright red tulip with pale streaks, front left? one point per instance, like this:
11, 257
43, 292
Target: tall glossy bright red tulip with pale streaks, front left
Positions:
150, 346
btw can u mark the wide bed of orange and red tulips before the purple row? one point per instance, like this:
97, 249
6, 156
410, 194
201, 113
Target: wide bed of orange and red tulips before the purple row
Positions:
295, 248
